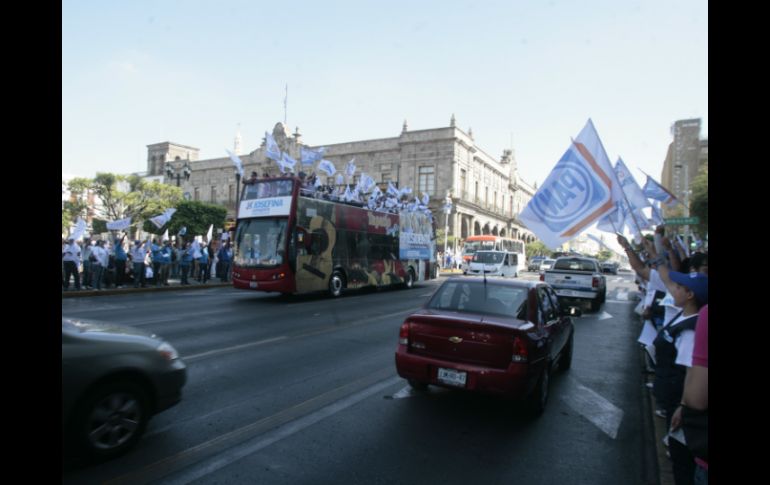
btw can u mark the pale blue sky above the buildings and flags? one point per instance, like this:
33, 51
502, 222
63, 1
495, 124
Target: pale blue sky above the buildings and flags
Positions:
142, 72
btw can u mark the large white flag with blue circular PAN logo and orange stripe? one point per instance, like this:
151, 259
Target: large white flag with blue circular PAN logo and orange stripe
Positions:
580, 189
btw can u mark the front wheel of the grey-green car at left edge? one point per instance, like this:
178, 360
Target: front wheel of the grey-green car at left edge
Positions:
111, 419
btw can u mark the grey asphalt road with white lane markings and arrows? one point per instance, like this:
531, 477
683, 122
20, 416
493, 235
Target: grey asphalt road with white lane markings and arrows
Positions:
304, 390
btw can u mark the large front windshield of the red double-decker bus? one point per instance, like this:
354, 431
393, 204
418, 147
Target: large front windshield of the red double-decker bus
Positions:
260, 242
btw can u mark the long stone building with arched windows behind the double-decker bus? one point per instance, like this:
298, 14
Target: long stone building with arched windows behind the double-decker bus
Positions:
487, 192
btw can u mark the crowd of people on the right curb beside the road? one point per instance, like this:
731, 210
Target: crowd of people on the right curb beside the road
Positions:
675, 337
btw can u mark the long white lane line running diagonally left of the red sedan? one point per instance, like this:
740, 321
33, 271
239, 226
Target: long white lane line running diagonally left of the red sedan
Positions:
234, 454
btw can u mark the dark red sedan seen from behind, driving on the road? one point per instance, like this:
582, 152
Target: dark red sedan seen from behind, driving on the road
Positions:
495, 336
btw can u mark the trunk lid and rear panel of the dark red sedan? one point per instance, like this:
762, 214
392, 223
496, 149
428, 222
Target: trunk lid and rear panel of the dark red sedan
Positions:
466, 338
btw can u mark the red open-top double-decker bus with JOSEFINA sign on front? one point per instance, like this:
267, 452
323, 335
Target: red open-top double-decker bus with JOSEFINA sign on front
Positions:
290, 240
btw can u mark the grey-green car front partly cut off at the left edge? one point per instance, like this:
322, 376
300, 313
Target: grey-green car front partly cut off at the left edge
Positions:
114, 379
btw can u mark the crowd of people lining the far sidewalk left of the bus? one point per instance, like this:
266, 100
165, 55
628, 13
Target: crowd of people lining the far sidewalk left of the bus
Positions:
97, 264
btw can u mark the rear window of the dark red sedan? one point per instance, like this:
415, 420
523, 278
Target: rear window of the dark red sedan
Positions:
479, 297
